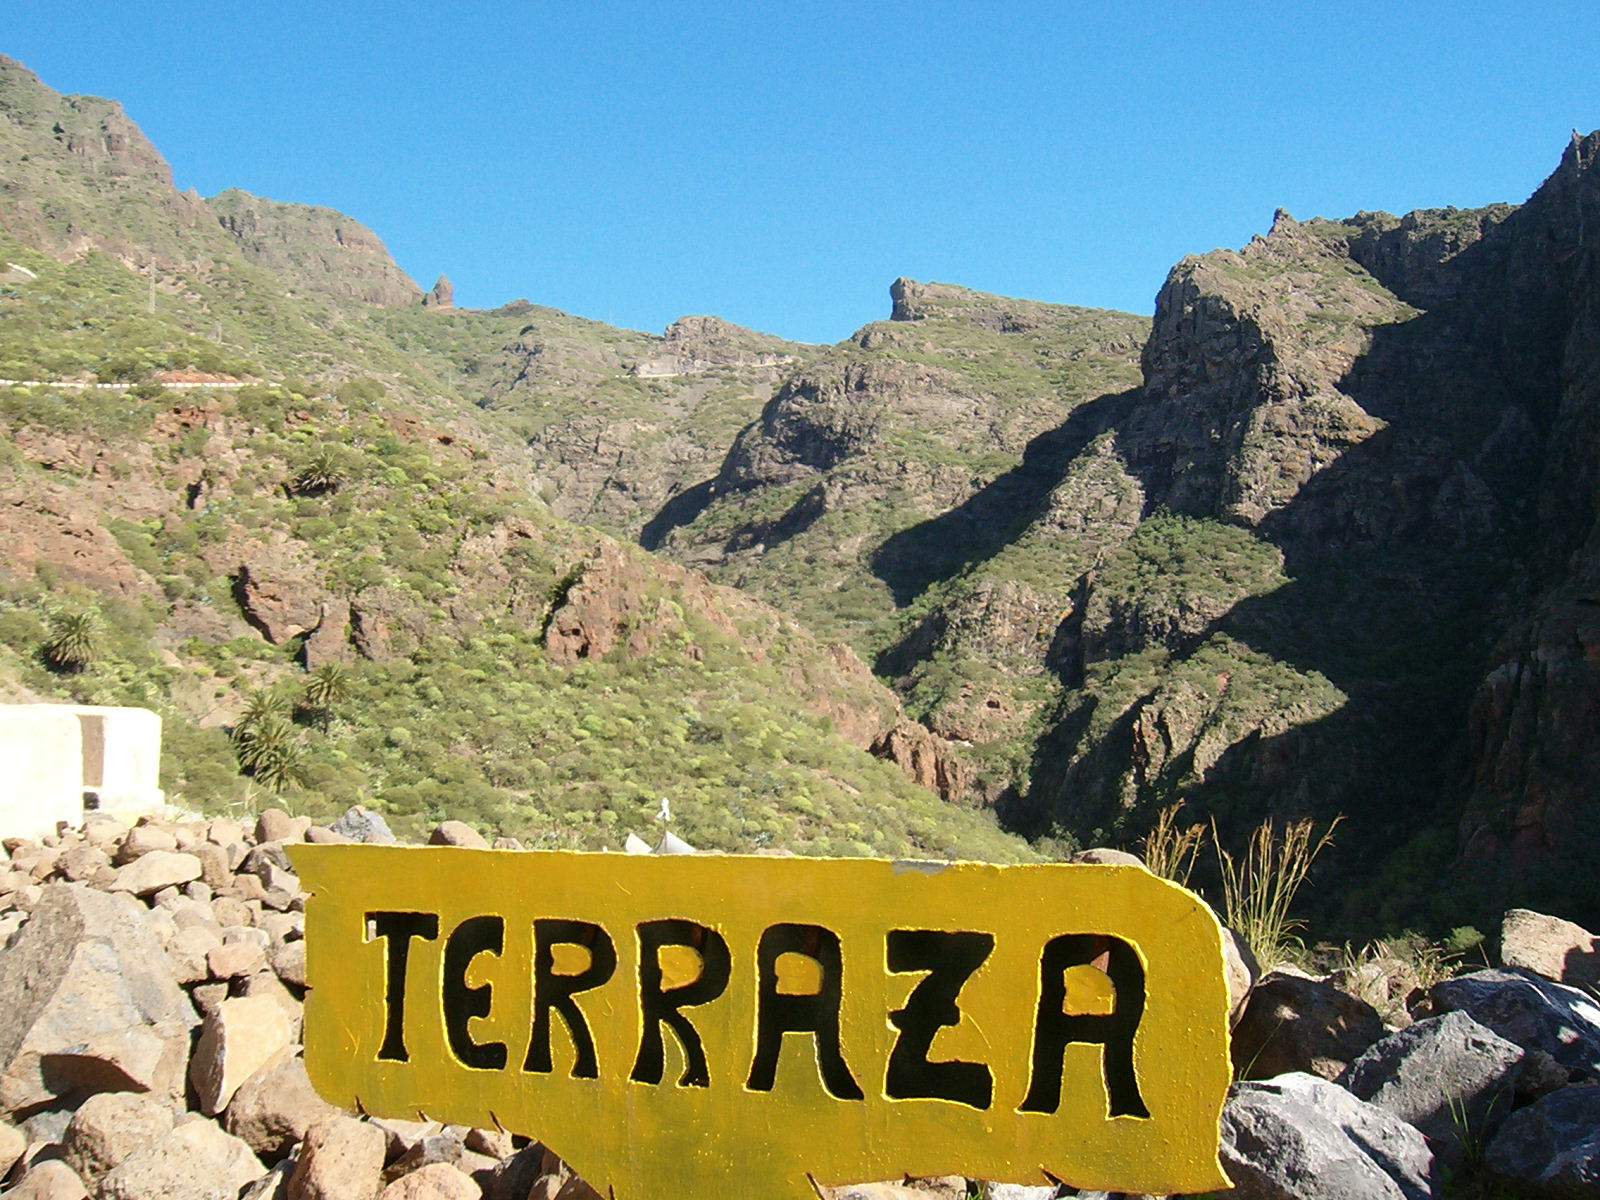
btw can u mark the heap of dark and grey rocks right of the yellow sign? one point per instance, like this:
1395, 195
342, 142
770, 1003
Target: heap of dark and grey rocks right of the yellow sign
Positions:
1487, 1079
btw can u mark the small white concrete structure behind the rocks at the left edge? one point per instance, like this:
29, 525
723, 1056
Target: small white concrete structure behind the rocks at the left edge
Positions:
66, 759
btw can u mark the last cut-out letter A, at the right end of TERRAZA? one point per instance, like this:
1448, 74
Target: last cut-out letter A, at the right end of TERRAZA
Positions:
1055, 1028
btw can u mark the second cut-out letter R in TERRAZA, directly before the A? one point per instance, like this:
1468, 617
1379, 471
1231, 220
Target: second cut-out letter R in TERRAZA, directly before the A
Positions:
658, 1006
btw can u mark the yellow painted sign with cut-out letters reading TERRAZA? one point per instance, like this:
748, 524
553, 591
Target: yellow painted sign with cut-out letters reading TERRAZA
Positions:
690, 1026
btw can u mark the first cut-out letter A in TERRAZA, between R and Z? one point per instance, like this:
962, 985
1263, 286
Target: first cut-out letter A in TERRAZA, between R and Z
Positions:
778, 1014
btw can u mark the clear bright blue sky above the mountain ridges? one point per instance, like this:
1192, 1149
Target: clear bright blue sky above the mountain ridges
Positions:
780, 164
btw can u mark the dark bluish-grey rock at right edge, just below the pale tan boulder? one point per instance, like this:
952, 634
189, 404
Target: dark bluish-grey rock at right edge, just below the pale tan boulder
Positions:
1530, 1012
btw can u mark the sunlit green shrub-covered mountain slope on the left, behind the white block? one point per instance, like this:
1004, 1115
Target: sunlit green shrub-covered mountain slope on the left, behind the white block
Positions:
343, 562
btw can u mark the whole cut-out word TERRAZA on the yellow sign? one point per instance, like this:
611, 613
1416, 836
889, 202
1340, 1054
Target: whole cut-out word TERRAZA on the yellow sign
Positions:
799, 982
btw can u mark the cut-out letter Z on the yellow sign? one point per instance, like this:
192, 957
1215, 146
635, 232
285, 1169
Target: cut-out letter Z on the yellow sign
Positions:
950, 958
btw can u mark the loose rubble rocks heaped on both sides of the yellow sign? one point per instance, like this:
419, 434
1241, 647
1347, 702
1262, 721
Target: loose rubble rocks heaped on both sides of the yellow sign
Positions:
153, 977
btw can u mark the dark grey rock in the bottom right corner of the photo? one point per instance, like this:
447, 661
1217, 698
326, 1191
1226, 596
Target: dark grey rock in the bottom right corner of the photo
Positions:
1553, 1146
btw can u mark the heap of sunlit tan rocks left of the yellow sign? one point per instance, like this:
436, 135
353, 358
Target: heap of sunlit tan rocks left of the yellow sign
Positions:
151, 993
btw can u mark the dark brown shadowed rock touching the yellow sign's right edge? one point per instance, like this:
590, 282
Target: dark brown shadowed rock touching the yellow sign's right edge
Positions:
1292, 1023
